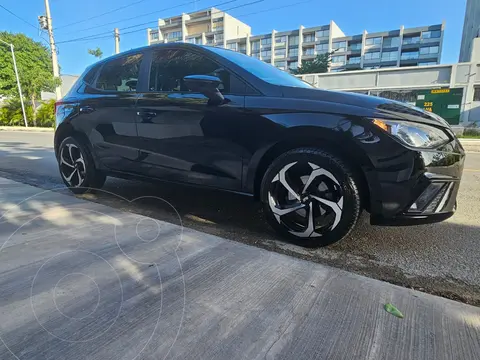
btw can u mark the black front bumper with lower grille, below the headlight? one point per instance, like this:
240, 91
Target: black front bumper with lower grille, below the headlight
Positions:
423, 190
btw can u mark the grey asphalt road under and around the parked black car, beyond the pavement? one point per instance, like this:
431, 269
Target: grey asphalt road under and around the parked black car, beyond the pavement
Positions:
440, 258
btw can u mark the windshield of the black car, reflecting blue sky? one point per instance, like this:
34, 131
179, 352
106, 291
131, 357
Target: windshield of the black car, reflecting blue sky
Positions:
260, 69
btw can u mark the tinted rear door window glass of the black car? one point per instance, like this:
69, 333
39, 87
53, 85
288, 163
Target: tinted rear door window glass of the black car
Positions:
120, 74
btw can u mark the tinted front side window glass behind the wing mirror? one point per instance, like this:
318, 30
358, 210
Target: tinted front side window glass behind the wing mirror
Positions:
169, 67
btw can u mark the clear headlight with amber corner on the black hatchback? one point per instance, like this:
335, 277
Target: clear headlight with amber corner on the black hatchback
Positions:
413, 134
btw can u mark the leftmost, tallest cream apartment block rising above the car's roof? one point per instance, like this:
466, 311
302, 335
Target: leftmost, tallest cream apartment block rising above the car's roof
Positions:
208, 27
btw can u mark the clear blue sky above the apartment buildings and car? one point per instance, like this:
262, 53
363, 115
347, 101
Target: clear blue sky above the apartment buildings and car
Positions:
352, 16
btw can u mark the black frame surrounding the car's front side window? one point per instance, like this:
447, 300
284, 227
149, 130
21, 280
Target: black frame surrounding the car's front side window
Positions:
249, 89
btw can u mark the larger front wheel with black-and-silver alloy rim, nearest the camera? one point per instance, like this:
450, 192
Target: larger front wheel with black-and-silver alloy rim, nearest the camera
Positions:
309, 181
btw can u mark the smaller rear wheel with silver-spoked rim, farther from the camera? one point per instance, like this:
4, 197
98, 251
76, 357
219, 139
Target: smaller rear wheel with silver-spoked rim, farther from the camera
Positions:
77, 168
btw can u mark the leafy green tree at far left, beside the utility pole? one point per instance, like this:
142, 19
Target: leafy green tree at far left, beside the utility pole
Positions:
34, 68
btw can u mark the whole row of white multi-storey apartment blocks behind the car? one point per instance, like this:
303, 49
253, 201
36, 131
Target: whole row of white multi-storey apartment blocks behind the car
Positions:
288, 49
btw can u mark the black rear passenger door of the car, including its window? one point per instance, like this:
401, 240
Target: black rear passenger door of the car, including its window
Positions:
107, 113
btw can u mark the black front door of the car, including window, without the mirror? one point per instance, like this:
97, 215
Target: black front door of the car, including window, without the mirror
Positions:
182, 136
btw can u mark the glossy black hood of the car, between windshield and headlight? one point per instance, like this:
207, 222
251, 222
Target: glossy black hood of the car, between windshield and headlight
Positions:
380, 107
